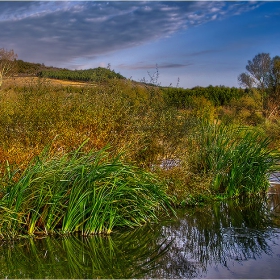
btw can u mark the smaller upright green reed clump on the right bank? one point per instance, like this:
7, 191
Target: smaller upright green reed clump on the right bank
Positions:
238, 159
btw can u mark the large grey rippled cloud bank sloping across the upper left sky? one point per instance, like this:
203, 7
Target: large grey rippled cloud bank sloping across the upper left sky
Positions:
62, 32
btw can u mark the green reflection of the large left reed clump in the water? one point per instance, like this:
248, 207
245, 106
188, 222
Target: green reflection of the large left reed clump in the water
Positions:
120, 256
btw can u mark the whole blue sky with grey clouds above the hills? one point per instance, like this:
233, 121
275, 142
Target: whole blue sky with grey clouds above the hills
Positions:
189, 43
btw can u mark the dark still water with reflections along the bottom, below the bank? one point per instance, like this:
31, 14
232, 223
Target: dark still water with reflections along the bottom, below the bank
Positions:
236, 239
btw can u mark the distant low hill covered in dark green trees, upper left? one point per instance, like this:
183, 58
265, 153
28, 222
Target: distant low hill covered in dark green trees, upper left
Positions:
36, 69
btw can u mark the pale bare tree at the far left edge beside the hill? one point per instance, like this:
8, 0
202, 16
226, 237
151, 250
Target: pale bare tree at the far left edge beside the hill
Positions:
7, 63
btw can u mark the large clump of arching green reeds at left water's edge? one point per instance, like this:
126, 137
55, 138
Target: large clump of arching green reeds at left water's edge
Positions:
90, 193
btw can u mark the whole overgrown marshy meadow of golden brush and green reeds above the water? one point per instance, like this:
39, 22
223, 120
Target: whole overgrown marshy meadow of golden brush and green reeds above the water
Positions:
91, 157
